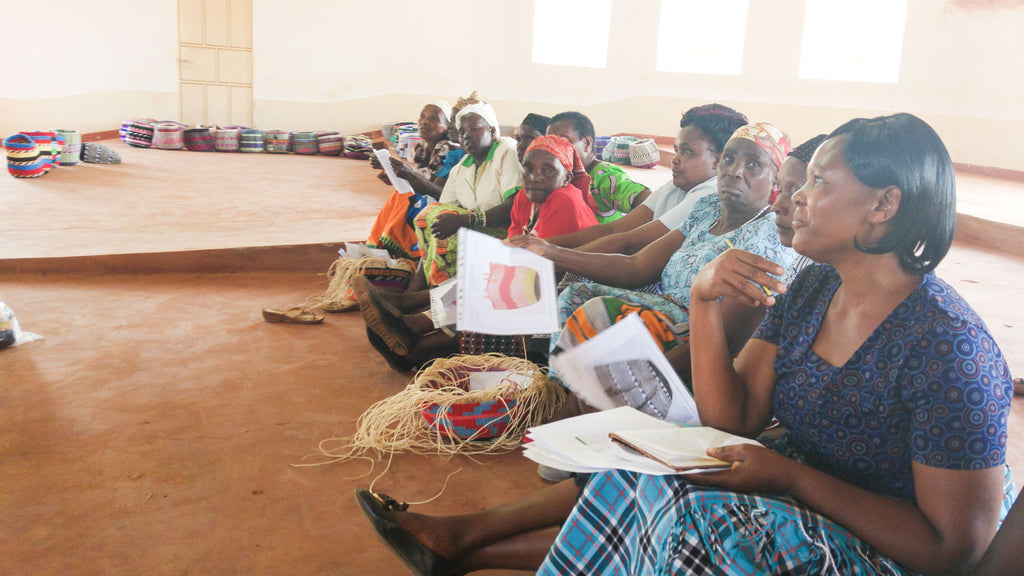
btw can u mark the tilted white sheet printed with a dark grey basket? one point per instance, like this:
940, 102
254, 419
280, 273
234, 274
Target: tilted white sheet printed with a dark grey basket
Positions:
623, 366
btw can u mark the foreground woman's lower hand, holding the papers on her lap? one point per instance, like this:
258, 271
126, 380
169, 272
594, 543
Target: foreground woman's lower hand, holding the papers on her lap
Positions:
755, 469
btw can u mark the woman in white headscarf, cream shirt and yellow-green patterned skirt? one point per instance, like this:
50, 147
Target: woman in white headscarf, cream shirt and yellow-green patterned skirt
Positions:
479, 193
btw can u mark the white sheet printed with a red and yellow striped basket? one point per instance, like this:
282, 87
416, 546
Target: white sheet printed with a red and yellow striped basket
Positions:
503, 291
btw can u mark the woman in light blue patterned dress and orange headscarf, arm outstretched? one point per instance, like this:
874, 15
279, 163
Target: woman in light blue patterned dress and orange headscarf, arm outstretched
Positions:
739, 217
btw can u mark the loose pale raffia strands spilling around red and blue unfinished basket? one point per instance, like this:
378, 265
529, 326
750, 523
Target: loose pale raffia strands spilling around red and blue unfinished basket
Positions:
398, 424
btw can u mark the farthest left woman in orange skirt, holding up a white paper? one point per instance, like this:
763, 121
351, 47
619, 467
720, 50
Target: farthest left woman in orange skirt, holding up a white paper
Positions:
393, 230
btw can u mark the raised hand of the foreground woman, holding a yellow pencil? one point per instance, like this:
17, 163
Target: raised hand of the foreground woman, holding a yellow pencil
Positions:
740, 275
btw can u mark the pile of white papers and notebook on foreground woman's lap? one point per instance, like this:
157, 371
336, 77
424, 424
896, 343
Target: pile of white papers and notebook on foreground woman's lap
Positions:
584, 444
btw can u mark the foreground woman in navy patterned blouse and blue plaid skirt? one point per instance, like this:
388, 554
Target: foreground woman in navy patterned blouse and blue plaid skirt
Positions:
893, 461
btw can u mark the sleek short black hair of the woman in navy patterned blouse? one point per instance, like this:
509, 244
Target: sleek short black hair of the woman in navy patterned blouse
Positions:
904, 151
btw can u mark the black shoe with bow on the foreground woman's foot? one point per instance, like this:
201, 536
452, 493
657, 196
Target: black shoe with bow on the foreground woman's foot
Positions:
380, 510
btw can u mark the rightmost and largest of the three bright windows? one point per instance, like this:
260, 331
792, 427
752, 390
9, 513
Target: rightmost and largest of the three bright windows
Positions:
860, 42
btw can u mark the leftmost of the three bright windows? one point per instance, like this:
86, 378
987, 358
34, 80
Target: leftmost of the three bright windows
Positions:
572, 32
